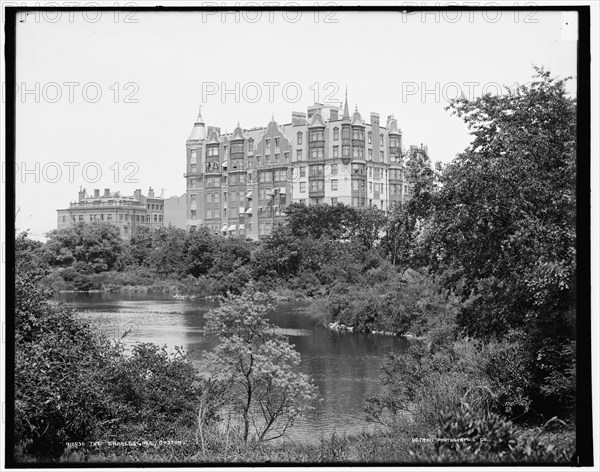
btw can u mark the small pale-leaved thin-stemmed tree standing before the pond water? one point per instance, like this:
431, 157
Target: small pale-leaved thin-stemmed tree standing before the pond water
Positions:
259, 367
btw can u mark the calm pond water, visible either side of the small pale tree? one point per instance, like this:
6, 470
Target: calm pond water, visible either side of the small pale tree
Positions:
345, 366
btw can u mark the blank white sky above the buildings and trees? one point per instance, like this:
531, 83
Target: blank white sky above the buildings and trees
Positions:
386, 60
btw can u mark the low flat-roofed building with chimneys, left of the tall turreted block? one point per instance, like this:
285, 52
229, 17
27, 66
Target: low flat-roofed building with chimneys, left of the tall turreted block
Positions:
124, 212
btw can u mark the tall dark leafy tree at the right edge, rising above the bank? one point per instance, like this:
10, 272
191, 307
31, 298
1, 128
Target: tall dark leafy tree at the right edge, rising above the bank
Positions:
502, 226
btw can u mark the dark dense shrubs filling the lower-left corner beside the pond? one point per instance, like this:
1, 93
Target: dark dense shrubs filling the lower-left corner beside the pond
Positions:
74, 384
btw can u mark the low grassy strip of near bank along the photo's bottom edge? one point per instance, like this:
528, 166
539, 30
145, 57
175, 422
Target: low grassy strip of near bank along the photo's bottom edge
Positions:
385, 445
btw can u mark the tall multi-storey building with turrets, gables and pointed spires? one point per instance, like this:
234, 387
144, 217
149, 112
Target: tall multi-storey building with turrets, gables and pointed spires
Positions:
239, 183
